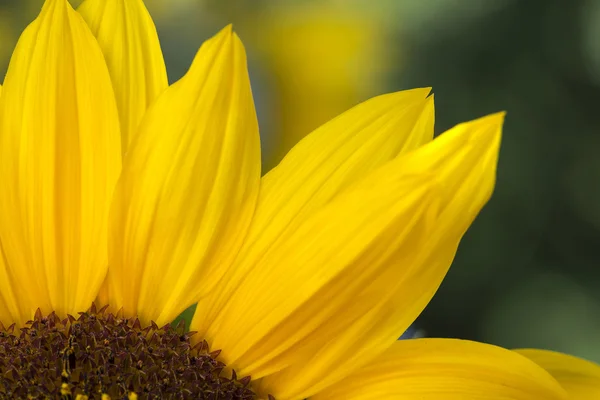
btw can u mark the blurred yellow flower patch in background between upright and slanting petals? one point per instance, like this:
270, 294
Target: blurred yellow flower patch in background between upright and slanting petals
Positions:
324, 59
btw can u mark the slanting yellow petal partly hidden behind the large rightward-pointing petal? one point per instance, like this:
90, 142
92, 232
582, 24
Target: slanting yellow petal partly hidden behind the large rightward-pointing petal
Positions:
320, 167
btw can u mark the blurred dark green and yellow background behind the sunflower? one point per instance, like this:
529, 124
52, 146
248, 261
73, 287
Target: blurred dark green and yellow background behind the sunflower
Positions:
528, 272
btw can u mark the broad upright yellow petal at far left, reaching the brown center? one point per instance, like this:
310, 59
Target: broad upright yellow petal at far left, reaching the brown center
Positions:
60, 152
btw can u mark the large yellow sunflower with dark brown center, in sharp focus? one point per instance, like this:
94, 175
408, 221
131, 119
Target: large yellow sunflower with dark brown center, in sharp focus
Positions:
147, 199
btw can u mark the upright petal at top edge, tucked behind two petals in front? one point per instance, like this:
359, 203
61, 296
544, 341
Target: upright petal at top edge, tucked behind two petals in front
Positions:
129, 41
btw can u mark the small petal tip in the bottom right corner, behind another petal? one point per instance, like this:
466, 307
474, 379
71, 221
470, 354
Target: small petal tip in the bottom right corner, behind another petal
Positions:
580, 378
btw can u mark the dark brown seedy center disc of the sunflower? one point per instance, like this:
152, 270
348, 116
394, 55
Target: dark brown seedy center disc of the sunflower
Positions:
101, 356
